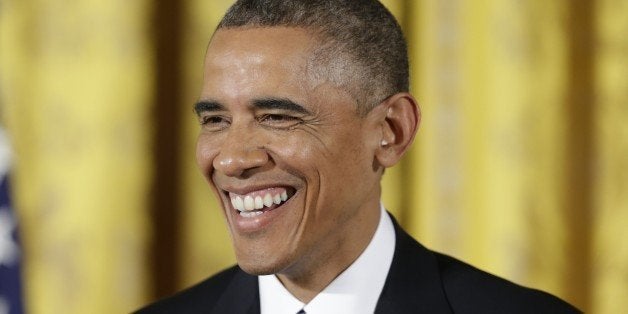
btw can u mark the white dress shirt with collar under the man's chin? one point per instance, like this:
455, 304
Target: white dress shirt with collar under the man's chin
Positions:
356, 290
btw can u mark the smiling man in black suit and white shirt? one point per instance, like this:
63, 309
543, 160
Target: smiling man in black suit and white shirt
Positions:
304, 104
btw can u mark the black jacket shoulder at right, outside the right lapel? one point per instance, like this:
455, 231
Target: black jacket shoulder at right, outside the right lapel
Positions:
471, 290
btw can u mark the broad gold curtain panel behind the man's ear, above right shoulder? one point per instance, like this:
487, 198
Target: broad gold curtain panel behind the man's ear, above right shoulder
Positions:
487, 171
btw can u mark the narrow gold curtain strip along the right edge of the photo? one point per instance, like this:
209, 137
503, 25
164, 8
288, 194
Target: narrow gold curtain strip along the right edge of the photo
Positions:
609, 255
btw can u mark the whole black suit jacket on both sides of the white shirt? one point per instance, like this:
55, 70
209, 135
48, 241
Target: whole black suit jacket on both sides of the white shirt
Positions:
419, 281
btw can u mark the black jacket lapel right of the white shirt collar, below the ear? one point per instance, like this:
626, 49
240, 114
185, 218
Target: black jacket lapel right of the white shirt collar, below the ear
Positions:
413, 284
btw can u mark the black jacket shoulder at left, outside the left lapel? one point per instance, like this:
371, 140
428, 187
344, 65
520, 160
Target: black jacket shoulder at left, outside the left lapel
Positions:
199, 298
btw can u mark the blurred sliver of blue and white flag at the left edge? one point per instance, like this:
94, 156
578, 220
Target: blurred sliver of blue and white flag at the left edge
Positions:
10, 283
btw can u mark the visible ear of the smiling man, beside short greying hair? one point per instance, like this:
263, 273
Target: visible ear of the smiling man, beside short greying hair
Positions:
400, 123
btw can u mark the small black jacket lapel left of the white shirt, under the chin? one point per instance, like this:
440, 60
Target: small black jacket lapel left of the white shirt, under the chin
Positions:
240, 297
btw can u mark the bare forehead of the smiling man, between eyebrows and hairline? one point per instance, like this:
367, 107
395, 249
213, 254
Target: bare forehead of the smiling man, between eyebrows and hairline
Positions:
245, 62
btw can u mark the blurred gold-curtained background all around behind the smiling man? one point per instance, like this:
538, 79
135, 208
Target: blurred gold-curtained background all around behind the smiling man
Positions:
520, 166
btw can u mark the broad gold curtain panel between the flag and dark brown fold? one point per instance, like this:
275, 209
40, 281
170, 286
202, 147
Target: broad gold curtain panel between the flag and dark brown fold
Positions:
75, 90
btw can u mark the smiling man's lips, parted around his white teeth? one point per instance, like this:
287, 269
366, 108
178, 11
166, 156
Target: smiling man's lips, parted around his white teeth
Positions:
251, 225
